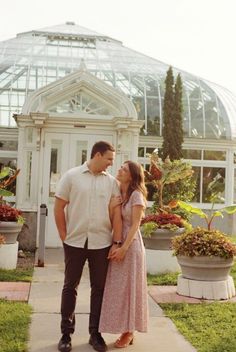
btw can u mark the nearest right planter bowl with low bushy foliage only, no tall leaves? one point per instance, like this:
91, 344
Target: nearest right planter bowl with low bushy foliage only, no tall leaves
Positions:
203, 254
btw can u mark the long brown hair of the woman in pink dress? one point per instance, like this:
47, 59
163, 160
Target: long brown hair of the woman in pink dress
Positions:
137, 183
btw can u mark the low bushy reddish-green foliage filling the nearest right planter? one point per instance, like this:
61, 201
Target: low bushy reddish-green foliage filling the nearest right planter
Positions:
203, 242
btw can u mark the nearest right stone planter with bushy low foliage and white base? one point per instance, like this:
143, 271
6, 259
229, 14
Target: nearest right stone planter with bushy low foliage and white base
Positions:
205, 257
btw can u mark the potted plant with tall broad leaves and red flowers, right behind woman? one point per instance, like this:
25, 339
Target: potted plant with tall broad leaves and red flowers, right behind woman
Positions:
163, 223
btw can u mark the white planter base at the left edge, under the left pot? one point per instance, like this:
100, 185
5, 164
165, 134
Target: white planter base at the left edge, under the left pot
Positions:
9, 255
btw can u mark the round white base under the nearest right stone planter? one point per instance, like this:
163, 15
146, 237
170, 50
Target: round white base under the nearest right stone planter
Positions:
214, 290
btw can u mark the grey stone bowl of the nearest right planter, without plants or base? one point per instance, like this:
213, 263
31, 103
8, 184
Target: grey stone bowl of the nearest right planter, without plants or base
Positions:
205, 268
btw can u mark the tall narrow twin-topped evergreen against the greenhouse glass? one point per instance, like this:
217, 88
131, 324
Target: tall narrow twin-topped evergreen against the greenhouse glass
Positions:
172, 130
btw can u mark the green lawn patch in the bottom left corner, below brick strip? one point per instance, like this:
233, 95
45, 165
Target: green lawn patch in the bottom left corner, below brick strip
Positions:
14, 326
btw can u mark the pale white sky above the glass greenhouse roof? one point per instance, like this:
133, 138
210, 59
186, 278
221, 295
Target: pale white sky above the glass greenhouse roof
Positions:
197, 36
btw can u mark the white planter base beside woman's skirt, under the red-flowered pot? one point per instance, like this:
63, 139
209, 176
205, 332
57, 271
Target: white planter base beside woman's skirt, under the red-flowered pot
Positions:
161, 262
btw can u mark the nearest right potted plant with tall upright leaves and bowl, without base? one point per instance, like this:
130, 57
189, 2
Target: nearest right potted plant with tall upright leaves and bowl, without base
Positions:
204, 253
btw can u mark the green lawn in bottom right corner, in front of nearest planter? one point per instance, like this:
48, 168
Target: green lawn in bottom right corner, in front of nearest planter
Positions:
208, 327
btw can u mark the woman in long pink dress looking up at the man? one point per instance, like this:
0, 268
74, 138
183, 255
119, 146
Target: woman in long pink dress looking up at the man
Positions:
124, 307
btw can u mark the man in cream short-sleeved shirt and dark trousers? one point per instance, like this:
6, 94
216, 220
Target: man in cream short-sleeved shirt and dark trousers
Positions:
85, 230
